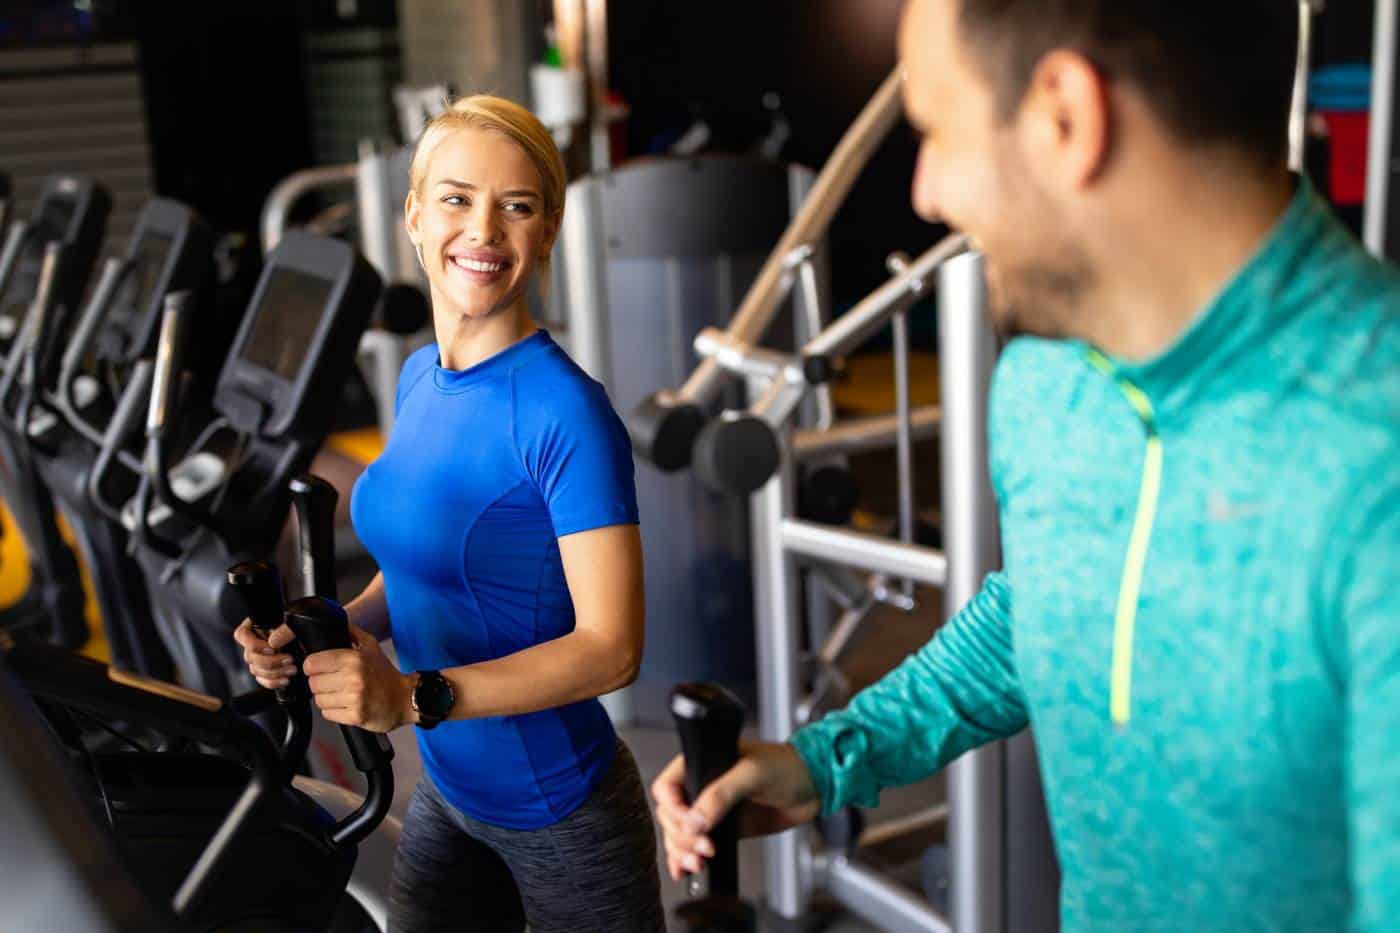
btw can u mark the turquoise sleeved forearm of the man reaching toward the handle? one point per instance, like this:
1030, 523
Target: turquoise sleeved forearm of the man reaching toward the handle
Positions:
960, 691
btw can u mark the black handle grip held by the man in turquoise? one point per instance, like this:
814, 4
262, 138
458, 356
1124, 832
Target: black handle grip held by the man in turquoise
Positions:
709, 721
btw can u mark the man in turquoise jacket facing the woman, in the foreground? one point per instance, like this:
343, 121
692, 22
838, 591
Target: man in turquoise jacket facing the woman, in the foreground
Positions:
1196, 453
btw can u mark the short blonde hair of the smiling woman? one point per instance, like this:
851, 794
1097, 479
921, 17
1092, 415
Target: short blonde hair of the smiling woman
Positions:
485, 111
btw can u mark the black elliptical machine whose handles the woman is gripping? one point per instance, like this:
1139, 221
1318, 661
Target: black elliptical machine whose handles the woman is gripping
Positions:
230, 841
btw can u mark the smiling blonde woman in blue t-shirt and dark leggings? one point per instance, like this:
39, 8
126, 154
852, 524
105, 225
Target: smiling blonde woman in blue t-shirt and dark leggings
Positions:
503, 518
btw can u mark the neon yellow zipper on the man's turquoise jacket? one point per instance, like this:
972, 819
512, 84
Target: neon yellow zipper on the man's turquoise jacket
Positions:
1121, 683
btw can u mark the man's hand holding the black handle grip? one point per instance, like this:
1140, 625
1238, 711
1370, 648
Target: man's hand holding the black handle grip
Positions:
769, 778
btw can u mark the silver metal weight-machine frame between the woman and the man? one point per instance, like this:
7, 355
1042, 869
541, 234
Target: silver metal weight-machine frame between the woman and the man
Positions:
981, 809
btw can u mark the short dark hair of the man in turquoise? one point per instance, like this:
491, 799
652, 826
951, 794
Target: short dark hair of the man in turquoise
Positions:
1213, 71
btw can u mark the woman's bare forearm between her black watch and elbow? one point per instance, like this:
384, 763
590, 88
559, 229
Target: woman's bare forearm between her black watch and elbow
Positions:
575, 668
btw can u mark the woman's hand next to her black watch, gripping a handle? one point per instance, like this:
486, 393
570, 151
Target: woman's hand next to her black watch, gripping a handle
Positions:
360, 687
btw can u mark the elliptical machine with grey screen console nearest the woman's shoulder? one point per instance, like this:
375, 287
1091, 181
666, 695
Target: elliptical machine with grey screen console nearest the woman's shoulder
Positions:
225, 501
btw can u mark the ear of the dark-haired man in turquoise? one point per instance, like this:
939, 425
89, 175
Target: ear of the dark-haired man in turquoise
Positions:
1067, 120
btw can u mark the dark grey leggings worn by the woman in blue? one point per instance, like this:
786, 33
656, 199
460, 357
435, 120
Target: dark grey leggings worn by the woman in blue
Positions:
593, 871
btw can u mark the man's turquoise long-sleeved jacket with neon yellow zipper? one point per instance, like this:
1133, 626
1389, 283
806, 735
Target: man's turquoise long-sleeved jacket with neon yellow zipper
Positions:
1199, 613
